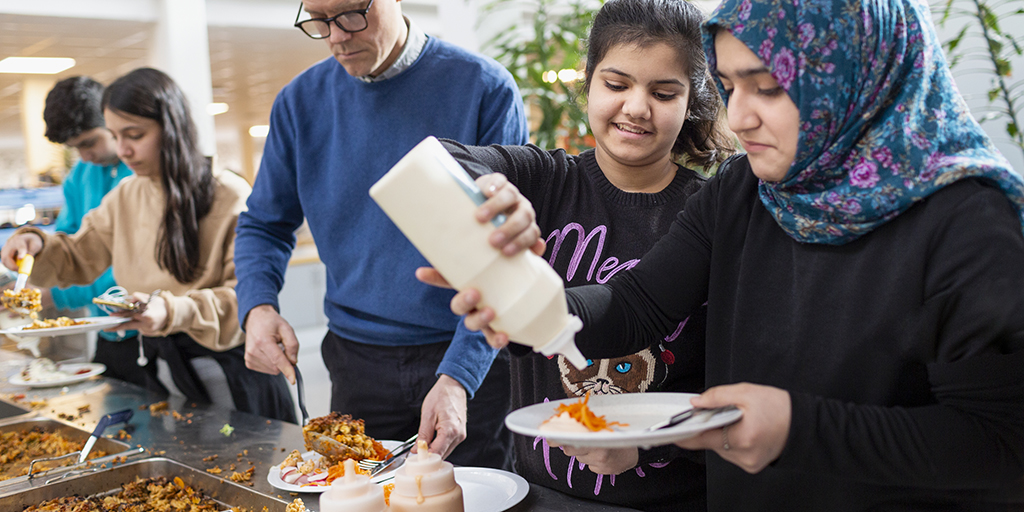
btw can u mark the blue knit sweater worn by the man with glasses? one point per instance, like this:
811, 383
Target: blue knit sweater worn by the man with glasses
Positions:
332, 137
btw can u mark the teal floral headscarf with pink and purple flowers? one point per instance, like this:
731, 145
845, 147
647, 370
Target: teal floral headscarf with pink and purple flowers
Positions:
882, 123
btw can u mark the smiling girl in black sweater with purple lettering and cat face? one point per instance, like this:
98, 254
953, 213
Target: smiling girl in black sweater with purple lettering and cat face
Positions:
651, 104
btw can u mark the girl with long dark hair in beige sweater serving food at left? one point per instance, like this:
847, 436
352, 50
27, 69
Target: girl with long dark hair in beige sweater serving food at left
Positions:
168, 232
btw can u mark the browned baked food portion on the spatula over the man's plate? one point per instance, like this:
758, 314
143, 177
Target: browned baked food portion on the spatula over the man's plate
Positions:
338, 437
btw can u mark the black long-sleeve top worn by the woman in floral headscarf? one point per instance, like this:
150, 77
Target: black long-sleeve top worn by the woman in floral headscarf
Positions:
902, 352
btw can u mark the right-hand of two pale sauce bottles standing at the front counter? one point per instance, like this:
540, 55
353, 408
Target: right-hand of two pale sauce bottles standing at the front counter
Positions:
426, 484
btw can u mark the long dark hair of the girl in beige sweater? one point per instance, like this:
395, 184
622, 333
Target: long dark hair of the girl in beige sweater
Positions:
186, 173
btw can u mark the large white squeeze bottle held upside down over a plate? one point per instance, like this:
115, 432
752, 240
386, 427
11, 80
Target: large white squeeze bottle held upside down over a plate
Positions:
433, 199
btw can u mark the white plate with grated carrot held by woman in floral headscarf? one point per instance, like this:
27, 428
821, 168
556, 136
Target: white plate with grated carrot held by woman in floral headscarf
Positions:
639, 411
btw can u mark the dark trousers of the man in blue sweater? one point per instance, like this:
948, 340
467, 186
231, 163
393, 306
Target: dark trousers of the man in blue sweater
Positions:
386, 387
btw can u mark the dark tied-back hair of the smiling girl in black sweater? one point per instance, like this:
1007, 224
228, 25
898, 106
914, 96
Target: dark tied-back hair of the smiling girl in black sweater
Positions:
676, 23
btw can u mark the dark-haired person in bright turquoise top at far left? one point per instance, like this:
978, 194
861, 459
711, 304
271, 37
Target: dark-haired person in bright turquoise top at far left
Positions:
74, 118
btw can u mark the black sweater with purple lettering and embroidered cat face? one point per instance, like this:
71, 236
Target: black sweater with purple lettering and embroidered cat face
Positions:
595, 231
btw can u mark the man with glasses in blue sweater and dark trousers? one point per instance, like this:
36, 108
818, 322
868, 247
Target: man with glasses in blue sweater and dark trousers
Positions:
335, 131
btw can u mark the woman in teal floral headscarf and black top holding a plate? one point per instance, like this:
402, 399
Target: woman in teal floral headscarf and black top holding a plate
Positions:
863, 266
